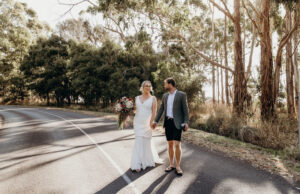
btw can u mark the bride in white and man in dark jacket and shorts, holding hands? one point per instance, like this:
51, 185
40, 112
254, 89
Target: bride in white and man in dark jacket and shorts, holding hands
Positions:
174, 108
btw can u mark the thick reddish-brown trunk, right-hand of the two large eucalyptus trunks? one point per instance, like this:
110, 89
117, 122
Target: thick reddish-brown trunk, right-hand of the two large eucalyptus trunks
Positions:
266, 64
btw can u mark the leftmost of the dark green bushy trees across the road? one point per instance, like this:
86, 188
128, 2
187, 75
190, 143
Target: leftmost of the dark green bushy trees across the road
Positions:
45, 68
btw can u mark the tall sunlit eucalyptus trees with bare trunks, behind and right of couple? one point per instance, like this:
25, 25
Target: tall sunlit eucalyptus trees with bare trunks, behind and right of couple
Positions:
226, 45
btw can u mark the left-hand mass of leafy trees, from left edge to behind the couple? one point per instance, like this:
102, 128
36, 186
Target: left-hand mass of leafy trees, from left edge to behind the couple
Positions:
80, 63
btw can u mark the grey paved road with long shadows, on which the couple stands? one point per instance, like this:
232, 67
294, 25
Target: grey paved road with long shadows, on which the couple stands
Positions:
52, 151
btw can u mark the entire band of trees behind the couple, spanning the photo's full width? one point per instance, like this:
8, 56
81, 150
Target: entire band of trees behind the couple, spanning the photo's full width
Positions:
153, 40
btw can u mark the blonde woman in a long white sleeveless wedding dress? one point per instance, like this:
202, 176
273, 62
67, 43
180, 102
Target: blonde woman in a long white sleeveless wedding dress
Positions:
144, 153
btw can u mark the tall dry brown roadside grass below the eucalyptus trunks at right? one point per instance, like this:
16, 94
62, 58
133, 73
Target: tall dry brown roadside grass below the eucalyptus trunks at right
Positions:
281, 133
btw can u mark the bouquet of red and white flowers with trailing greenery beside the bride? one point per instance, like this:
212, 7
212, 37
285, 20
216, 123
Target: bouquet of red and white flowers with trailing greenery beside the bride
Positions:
123, 107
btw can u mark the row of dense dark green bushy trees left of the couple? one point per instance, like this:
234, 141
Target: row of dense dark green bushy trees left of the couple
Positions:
66, 70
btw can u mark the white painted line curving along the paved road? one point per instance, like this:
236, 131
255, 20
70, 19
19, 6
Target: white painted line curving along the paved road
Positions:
122, 173
